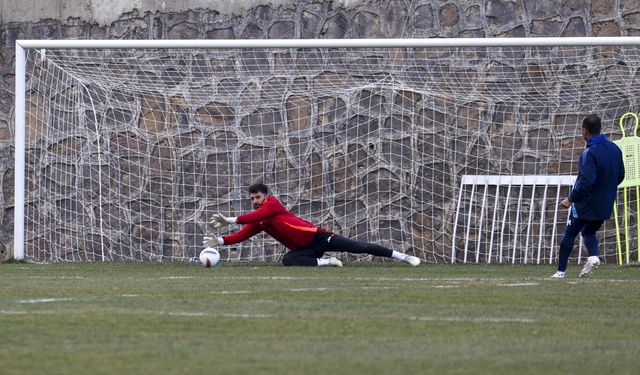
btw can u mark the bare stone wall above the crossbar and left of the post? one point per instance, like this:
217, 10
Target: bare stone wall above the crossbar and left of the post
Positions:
312, 19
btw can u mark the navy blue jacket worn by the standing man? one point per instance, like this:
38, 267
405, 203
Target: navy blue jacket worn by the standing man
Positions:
601, 171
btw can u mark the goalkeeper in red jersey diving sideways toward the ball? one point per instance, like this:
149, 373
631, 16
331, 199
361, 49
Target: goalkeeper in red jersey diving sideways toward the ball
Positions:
306, 242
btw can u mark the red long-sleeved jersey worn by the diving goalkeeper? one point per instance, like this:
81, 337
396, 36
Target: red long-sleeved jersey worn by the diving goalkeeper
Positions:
273, 218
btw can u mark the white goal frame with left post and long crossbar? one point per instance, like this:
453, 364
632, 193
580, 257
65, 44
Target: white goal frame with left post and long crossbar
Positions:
22, 46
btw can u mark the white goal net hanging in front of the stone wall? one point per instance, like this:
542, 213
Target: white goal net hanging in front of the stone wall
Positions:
129, 151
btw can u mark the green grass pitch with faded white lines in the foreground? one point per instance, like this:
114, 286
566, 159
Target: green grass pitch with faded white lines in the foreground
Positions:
174, 318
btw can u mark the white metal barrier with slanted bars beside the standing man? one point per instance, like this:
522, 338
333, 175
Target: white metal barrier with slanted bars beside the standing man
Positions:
494, 196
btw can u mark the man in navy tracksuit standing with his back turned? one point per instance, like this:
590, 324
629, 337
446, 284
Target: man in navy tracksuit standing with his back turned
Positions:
600, 172
